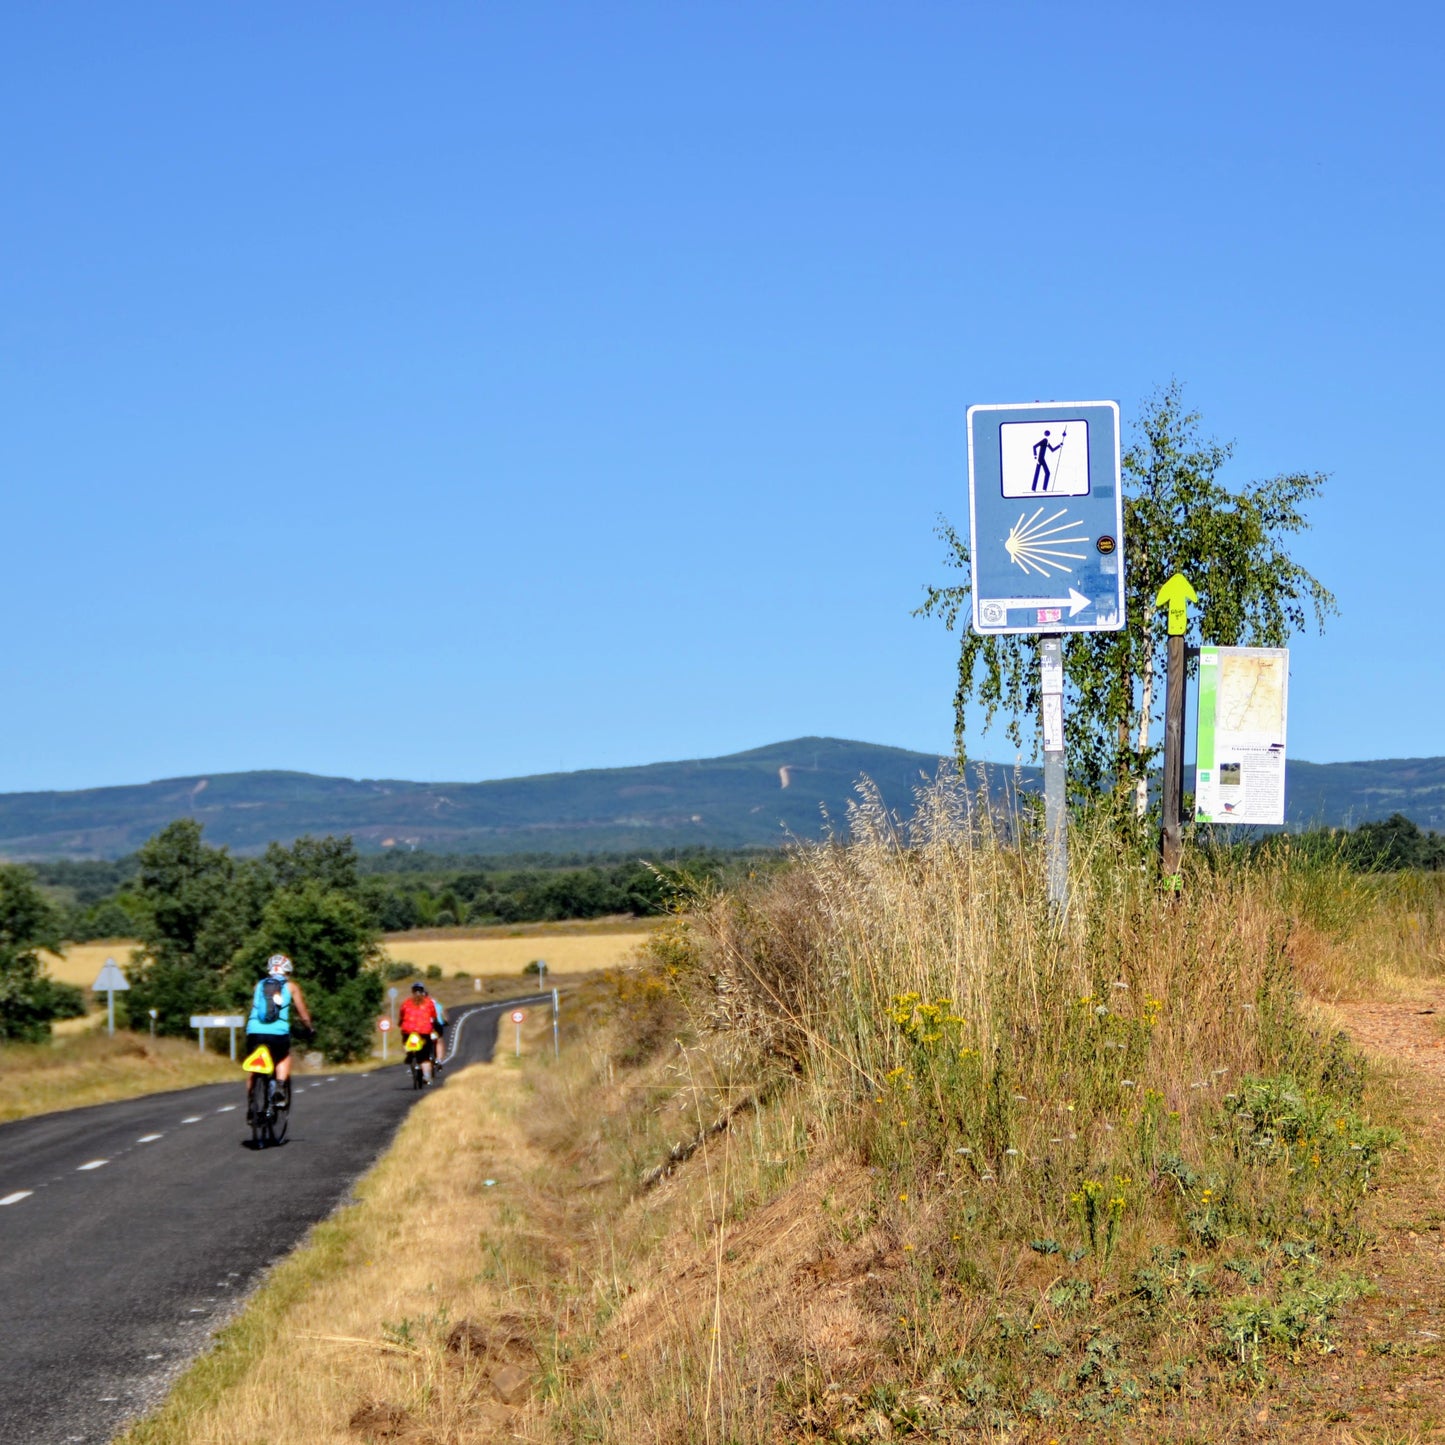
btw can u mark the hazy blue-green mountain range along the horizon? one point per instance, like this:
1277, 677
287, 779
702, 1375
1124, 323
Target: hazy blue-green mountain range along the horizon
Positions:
745, 800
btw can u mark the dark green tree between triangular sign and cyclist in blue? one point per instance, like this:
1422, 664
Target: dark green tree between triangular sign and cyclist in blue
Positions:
191, 924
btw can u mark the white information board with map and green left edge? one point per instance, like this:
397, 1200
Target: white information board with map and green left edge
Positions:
1243, 712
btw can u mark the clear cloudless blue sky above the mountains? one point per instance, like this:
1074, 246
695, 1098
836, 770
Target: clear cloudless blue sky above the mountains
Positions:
467, 391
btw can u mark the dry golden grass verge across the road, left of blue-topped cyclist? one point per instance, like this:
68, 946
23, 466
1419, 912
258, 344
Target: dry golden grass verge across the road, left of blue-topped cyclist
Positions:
96, 1069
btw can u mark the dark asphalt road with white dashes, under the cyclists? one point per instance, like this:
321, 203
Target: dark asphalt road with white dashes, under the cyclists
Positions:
131, 1232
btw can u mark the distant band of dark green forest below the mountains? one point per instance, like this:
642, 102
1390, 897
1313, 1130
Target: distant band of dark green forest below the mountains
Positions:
418, 891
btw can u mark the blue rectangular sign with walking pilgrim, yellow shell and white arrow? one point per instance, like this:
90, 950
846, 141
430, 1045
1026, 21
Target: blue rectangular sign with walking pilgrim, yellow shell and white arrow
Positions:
1047, 518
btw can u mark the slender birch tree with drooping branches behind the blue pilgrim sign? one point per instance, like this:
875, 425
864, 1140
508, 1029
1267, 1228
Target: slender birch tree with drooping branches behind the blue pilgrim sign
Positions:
1180, 517
